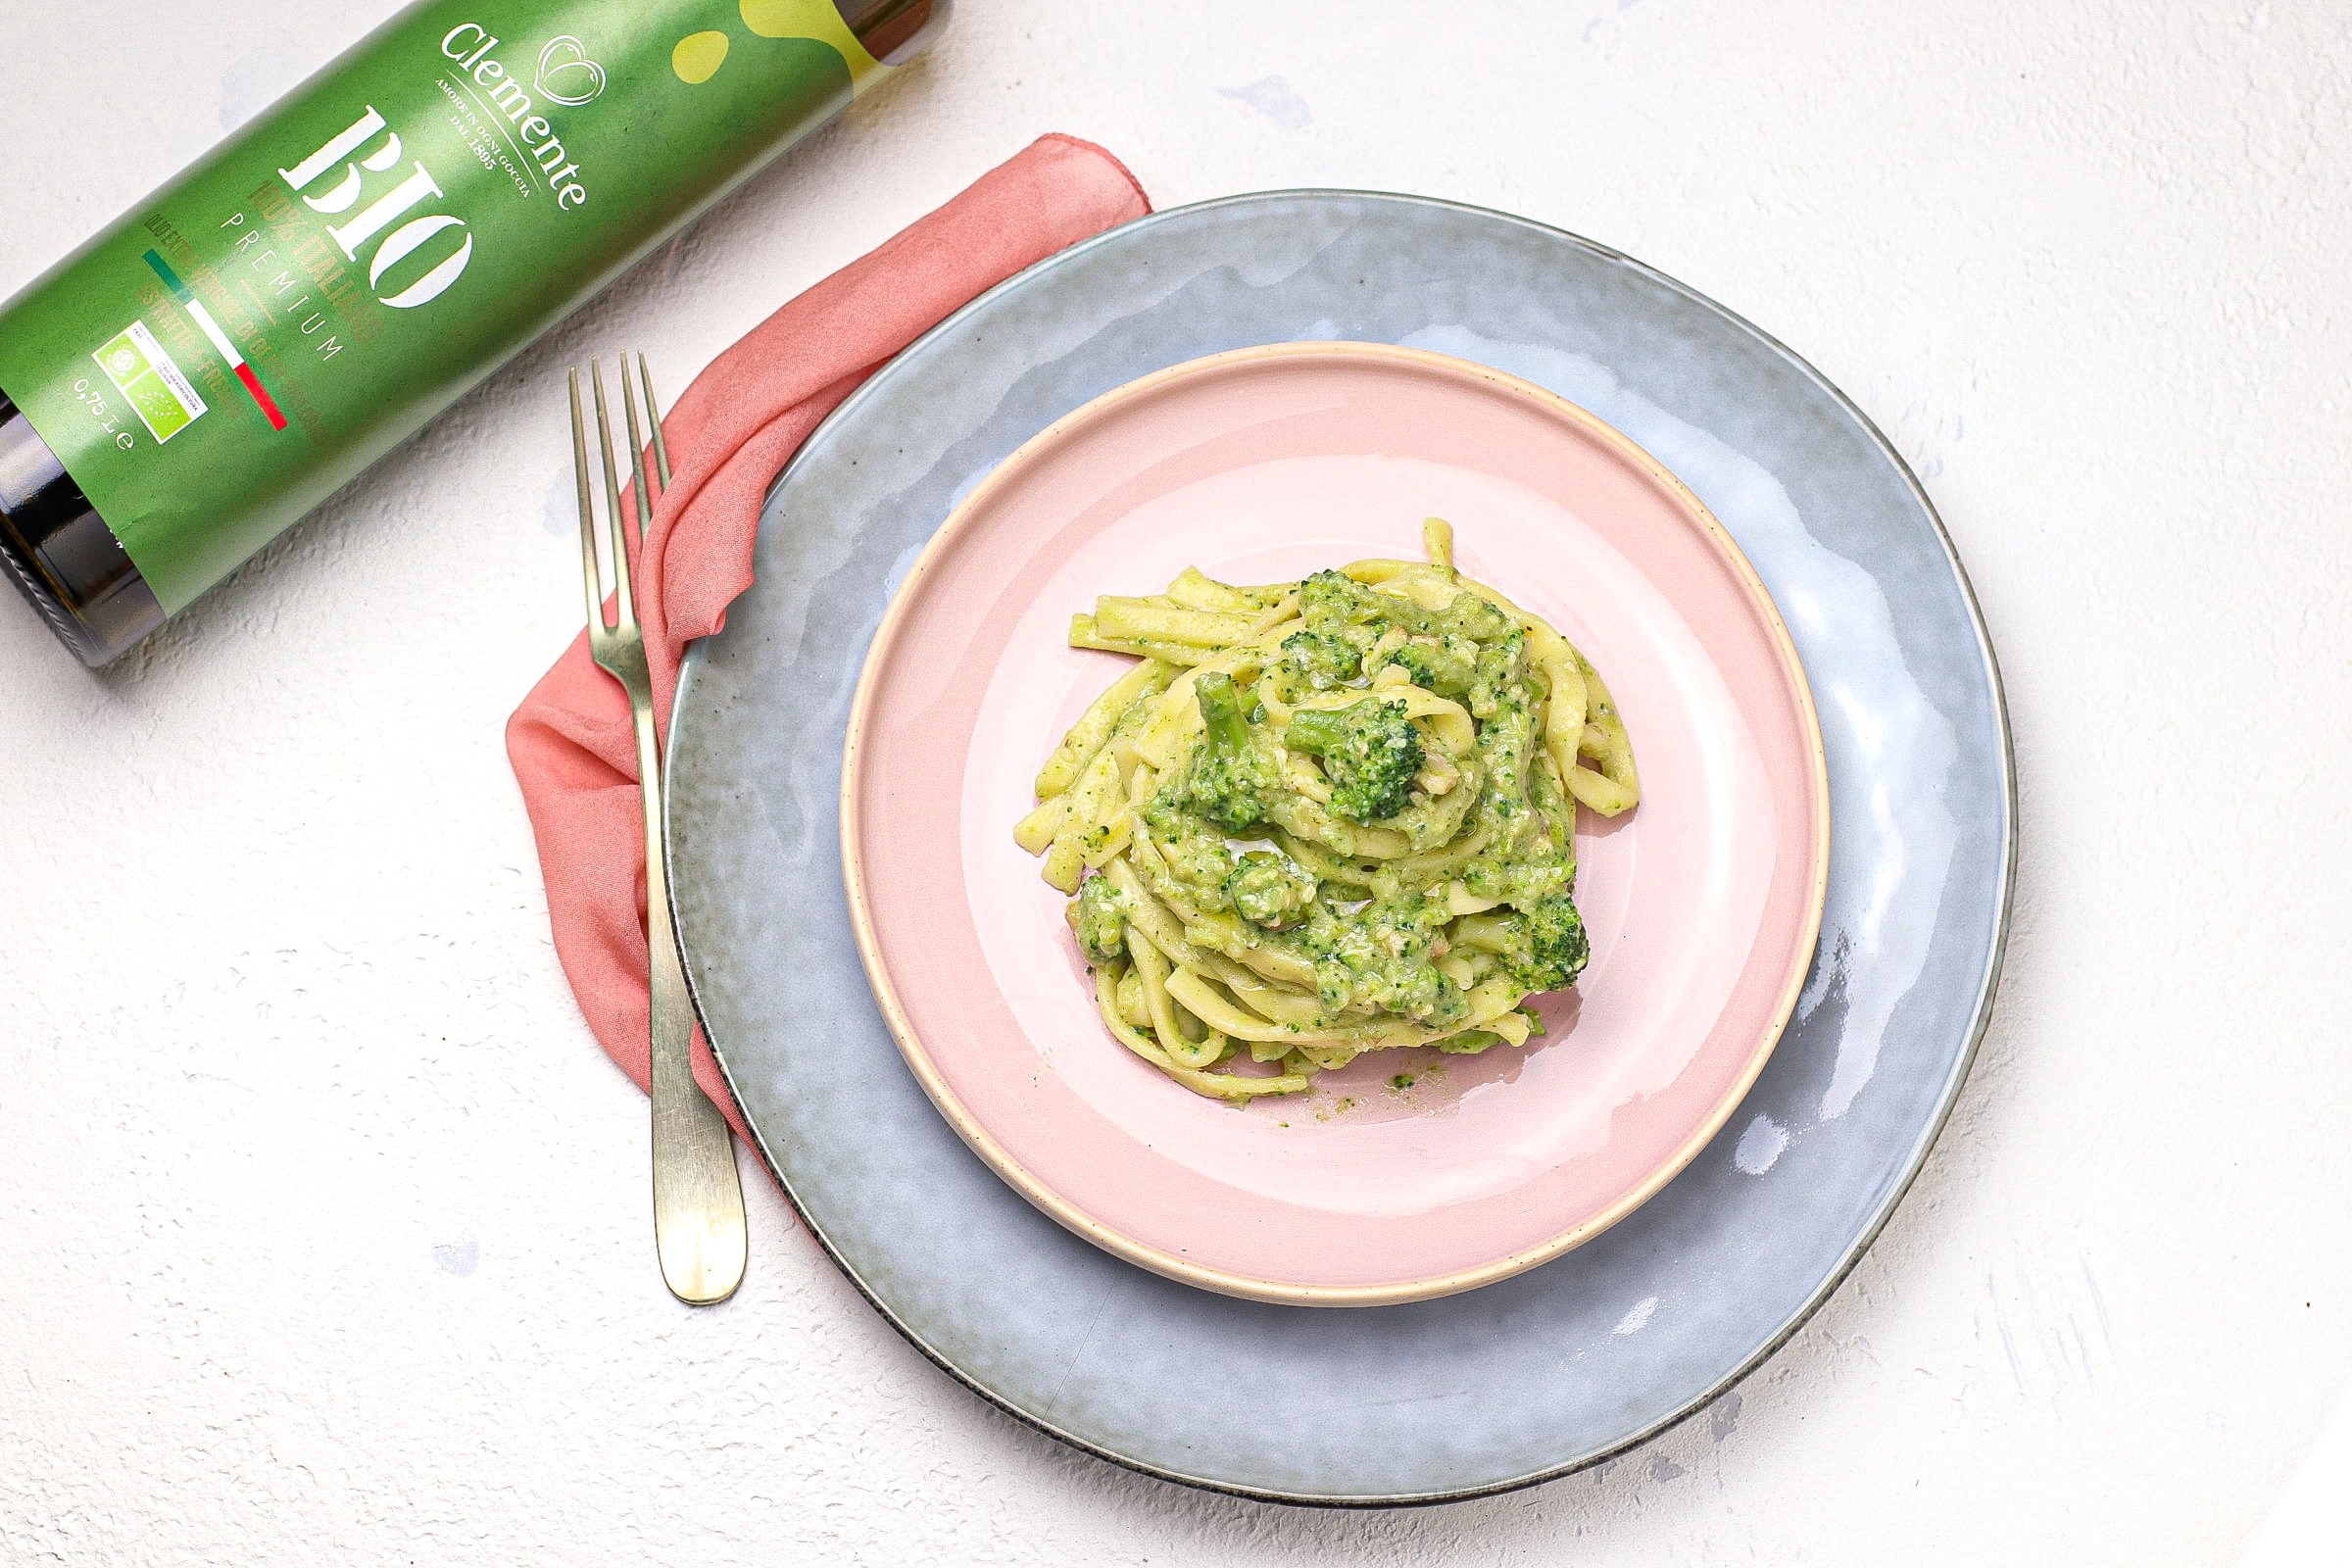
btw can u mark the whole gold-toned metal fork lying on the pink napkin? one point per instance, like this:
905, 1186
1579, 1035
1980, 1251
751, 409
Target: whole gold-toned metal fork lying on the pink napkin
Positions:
697, 1193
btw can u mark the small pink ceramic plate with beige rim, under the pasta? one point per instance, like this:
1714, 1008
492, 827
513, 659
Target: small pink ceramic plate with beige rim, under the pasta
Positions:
1269, 464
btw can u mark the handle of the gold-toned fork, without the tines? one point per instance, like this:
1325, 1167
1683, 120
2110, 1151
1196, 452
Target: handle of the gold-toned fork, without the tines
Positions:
697, 1193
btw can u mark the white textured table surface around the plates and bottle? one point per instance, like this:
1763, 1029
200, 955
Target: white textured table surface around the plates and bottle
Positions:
326, 1219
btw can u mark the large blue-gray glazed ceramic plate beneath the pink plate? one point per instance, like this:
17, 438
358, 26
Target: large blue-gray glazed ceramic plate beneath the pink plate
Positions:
1525, 1379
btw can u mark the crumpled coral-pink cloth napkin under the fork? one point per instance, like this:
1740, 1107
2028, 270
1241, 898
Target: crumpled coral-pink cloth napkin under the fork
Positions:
730, 434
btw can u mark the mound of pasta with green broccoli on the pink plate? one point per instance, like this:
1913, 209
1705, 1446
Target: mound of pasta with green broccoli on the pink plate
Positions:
1328, 817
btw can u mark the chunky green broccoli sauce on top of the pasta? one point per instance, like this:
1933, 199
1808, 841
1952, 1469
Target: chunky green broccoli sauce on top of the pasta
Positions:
1372, 932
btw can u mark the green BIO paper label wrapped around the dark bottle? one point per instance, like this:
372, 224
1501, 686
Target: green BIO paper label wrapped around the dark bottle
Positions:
340, 272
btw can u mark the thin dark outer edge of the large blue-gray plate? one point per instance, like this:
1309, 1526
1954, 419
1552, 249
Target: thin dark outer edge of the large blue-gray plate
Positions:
1920, 1151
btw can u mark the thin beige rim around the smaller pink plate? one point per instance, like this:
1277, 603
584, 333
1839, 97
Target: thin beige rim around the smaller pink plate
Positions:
1069, 1214
